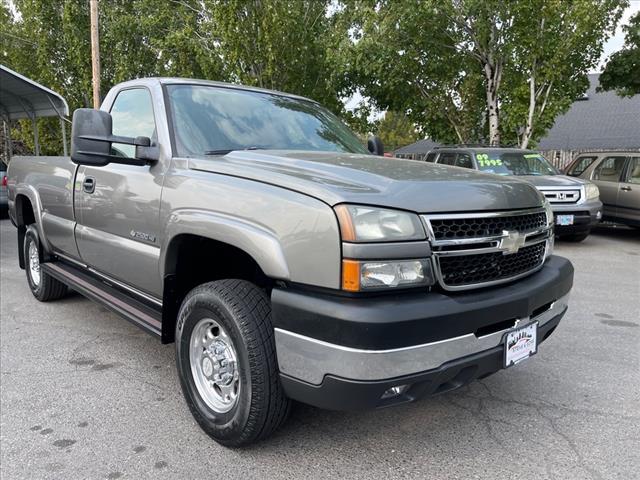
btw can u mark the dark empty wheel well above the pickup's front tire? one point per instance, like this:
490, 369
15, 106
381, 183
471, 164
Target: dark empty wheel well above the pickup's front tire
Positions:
192, 260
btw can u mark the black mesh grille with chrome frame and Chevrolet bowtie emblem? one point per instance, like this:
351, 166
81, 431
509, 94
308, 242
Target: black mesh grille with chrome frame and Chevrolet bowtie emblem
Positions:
482, 249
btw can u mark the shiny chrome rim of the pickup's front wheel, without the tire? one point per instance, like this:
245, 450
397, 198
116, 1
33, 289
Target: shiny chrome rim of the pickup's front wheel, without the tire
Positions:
214, 365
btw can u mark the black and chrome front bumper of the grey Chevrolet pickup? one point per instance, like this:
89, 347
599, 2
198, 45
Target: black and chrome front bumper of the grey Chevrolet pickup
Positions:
344, 353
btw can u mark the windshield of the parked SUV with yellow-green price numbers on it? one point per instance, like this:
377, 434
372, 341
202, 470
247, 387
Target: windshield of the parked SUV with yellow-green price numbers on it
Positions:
514, 163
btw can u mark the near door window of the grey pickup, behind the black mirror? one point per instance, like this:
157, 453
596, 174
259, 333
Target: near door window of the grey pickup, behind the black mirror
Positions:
132, 115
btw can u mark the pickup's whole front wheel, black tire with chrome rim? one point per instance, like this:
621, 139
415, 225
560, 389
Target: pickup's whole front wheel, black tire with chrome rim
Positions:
226, 360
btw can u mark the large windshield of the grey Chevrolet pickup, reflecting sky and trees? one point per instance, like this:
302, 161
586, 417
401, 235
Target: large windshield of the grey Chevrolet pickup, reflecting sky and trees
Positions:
211, 120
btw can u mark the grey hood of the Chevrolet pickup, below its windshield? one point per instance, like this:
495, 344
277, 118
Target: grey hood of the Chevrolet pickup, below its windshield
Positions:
367, 179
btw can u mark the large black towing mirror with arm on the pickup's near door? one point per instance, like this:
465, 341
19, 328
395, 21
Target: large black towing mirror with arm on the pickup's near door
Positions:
92, 136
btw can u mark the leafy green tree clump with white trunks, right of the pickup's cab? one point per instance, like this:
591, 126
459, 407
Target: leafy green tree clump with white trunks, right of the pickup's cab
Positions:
470, 70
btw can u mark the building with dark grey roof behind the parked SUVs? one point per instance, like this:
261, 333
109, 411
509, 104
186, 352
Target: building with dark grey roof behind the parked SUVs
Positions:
597, 121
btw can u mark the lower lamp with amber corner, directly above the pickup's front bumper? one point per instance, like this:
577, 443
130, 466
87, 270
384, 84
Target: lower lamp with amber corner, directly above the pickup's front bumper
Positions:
374, 275
